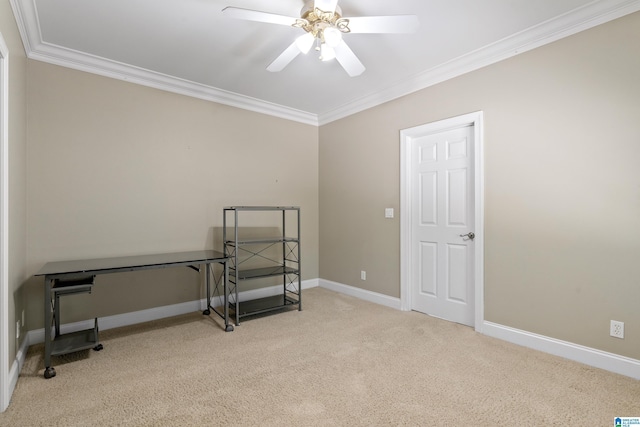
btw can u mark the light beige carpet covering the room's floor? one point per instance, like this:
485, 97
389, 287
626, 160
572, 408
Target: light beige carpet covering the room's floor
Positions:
339, 362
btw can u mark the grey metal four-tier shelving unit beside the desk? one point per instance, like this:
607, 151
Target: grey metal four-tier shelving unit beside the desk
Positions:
263, 259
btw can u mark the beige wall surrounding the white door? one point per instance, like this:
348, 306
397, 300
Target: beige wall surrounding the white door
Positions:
562, 199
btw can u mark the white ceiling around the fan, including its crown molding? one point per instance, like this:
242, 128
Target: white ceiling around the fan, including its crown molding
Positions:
190, 47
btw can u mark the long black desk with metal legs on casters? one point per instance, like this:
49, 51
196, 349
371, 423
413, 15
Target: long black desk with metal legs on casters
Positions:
71, 270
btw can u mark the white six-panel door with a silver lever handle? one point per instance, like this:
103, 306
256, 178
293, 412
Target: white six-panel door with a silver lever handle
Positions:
442, 220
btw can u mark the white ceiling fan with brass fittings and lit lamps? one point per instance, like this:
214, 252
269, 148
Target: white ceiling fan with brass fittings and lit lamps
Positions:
324, 26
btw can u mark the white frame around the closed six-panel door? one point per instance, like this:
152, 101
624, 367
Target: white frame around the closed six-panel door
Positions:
406, 199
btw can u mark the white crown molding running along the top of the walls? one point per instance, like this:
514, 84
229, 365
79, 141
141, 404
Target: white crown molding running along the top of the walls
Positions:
595, 13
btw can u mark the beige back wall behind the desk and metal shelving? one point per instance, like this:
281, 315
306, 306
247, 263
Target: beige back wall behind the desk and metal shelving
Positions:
116, 168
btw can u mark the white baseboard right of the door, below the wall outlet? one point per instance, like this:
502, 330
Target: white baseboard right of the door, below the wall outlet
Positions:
578, 353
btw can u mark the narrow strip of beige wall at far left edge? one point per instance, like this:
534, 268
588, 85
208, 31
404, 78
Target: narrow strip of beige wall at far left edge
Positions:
17, 169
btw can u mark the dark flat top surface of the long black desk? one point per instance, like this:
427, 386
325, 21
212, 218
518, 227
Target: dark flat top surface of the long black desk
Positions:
130, 263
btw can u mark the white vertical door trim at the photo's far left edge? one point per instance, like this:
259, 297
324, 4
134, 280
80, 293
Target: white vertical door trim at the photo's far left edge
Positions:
5, 386
